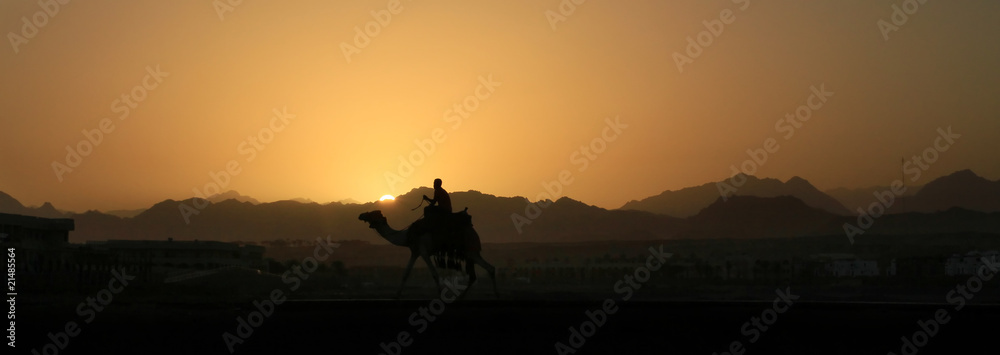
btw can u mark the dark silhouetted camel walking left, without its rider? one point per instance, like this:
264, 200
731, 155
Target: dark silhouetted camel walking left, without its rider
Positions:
436, 244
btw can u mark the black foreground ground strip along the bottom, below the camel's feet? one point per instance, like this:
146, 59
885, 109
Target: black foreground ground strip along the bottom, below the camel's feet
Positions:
508, 327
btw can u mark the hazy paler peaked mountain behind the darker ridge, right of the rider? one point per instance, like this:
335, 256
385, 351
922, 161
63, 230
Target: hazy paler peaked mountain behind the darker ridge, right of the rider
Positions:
689, 201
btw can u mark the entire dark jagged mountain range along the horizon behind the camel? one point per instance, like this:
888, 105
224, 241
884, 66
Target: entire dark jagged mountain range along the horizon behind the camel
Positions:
761, 208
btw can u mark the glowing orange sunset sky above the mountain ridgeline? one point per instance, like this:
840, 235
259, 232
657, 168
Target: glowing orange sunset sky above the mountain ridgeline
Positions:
553, 91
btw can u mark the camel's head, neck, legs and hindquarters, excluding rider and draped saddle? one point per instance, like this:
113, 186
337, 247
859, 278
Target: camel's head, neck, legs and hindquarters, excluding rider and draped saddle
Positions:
423, 246
